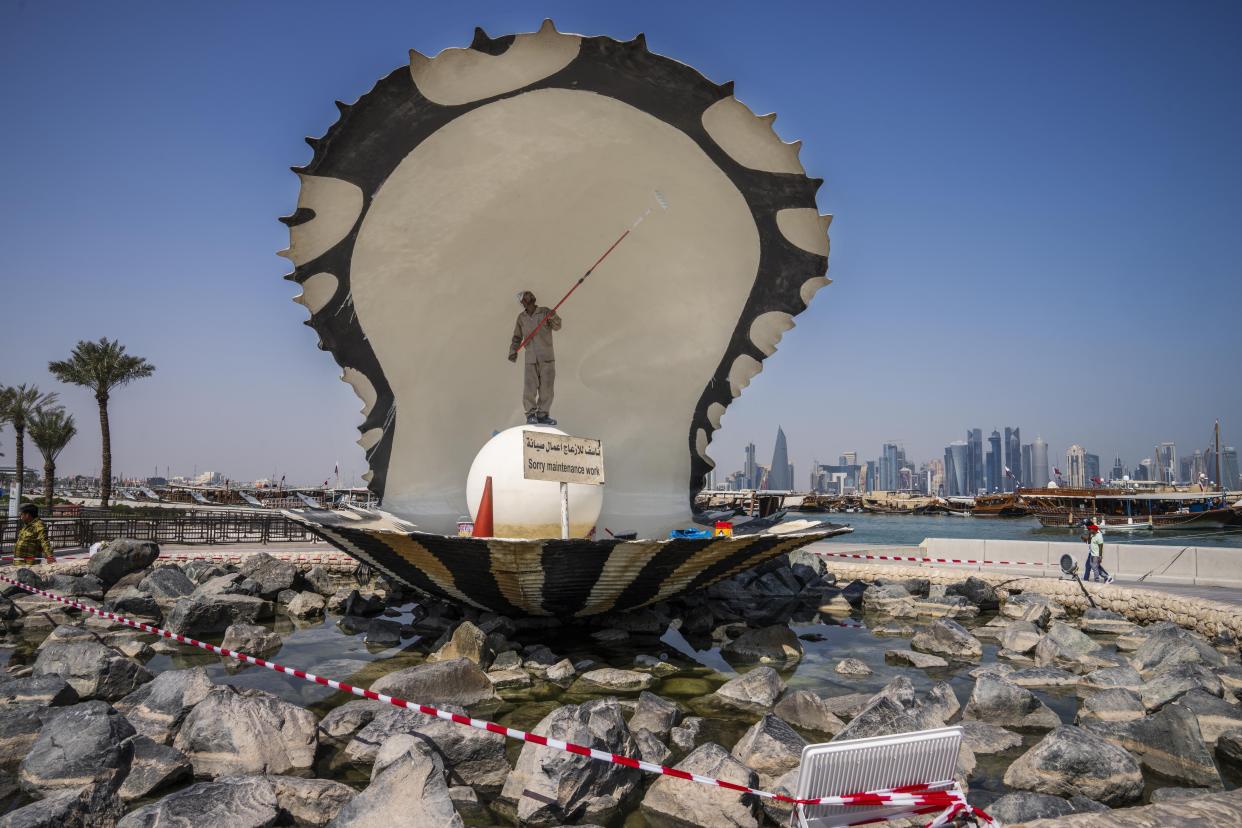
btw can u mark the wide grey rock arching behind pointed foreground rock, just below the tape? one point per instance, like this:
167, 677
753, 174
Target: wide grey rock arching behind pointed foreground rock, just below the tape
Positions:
471, 757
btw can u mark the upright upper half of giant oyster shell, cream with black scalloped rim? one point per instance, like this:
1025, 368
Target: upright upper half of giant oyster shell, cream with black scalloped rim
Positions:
461, 179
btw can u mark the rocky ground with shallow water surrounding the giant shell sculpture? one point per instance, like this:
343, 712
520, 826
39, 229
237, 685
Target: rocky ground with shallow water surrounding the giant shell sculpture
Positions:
104, 726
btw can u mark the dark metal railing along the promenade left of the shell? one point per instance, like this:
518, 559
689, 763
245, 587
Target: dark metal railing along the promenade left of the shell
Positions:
186, 528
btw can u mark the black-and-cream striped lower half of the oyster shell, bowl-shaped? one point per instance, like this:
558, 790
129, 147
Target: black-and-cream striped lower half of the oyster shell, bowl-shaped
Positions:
564, 579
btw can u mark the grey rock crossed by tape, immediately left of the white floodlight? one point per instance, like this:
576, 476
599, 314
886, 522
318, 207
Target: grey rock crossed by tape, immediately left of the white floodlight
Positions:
673, 804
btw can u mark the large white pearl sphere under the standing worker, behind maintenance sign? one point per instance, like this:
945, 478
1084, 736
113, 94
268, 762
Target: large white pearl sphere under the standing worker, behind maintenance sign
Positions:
524, 508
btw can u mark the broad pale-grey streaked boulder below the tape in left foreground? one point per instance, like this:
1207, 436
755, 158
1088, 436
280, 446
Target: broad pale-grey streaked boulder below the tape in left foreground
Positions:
248, 732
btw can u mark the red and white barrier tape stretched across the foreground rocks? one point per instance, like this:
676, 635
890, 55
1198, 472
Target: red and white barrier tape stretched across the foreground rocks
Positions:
920, 799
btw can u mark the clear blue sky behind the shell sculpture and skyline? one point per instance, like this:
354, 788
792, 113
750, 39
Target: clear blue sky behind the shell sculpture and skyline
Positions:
1036, 215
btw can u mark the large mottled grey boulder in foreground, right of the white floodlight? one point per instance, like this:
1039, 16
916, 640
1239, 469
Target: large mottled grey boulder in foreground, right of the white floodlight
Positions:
1070, 762
